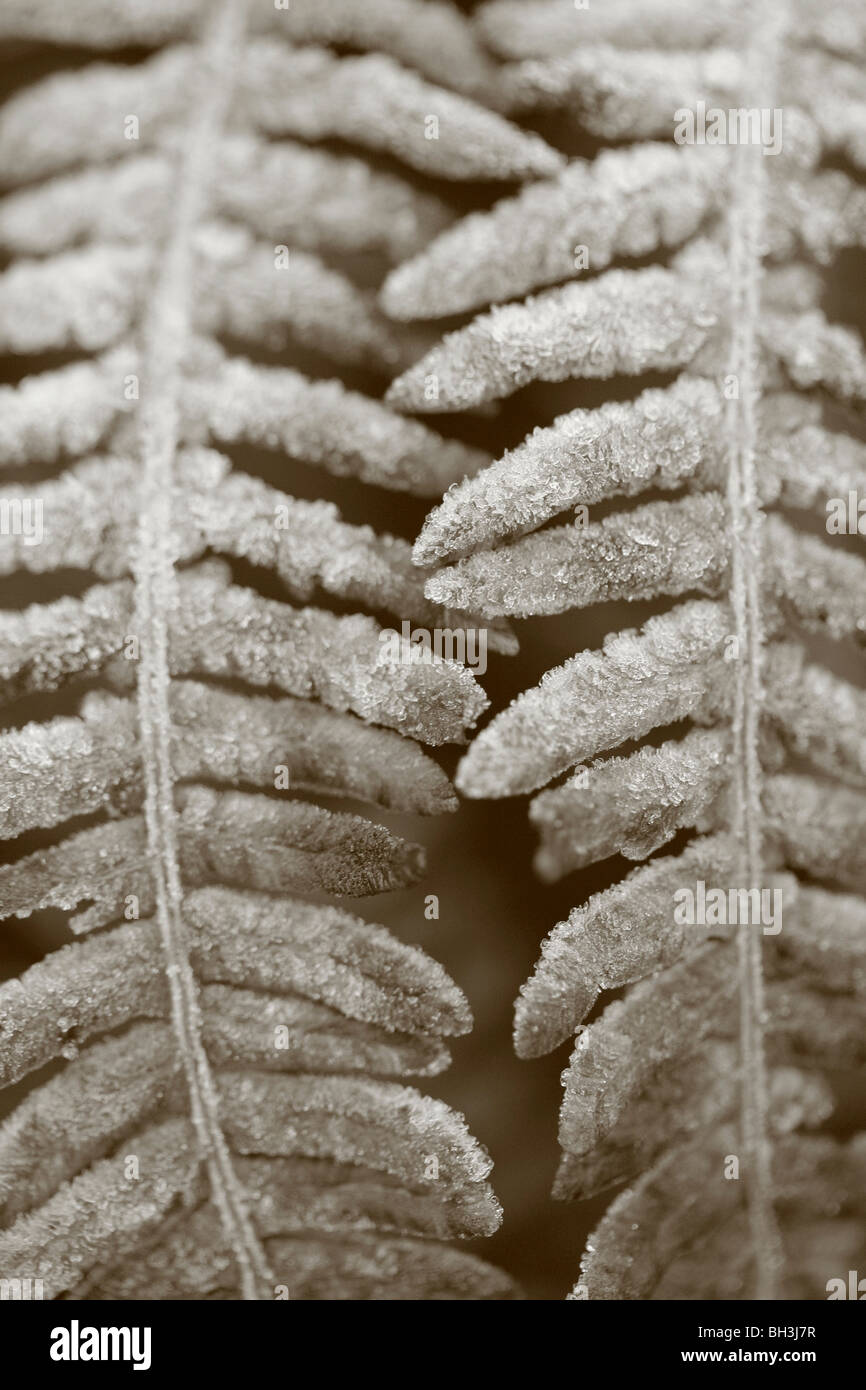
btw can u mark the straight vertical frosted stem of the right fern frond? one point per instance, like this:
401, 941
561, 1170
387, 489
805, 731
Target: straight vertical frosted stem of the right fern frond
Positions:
746, 223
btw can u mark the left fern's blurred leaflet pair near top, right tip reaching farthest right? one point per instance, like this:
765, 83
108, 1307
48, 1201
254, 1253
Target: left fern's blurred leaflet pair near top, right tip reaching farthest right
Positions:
307, 94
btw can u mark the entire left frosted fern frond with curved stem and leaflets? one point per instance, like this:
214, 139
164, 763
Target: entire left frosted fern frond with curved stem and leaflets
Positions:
215, 1106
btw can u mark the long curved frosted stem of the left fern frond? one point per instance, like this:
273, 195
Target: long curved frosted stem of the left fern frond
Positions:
165, 343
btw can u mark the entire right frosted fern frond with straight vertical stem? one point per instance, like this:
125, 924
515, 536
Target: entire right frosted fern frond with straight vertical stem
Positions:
742, 750
